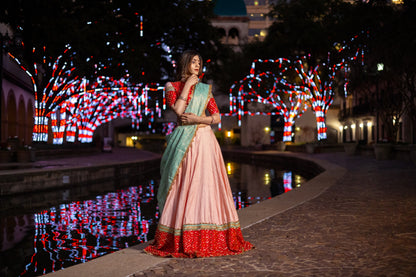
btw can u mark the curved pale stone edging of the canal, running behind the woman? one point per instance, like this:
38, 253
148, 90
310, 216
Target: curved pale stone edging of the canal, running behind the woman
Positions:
129, 261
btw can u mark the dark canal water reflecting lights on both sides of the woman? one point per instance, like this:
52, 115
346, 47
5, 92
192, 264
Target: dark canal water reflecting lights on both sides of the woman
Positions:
47, 232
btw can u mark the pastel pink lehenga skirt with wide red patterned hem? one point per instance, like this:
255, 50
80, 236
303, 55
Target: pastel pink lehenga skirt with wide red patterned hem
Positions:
199, 218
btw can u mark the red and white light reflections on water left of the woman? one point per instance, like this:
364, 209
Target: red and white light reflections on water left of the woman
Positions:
83, 230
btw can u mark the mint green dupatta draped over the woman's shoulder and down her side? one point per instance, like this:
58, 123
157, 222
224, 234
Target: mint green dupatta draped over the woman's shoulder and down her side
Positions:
178, 143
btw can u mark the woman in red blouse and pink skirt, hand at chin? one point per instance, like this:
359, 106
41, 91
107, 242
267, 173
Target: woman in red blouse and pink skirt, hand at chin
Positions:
198, 218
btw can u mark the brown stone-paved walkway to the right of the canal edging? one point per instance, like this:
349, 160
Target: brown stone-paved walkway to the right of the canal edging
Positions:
364, 225
